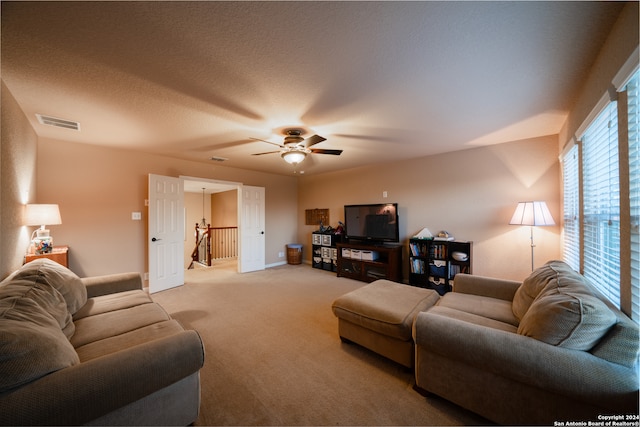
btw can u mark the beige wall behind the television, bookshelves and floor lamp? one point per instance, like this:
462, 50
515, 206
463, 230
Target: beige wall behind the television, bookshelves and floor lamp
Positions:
472, 194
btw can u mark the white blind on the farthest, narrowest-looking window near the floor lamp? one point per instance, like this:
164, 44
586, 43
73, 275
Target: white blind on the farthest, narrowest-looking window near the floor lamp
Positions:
571, 208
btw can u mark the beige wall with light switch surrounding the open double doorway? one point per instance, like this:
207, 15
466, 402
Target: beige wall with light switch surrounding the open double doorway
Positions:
97, 189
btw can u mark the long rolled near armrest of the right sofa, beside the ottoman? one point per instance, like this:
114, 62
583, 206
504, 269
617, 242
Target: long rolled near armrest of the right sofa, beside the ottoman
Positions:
526, 360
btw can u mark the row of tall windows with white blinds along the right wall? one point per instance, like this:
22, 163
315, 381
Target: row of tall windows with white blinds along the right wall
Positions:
598, 239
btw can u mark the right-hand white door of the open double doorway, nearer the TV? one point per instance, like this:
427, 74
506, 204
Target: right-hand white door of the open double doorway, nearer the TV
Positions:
252, 238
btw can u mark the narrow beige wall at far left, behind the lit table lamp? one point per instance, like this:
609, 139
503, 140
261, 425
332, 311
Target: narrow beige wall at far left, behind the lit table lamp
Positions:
18, 182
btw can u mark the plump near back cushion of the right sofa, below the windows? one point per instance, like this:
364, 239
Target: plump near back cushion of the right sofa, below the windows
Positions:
565, 313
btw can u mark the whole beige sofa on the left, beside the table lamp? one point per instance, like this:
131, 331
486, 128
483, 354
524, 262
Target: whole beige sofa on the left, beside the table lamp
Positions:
92, 351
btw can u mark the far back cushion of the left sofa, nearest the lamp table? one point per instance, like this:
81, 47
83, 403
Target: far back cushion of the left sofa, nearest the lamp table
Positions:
61, 278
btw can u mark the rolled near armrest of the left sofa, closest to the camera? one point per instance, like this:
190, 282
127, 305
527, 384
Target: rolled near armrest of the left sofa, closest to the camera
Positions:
84, 392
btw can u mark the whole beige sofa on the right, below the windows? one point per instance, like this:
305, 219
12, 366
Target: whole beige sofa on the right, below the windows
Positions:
549, 349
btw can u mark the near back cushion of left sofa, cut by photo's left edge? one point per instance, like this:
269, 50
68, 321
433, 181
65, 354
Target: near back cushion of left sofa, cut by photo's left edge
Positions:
32, 343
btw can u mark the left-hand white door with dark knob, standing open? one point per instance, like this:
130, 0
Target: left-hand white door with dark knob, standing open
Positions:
166, 232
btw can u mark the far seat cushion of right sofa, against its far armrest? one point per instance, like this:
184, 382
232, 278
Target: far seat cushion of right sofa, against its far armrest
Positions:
491, 308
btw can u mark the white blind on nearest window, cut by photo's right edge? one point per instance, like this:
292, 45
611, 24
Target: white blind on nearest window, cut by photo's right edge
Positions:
633, 108
